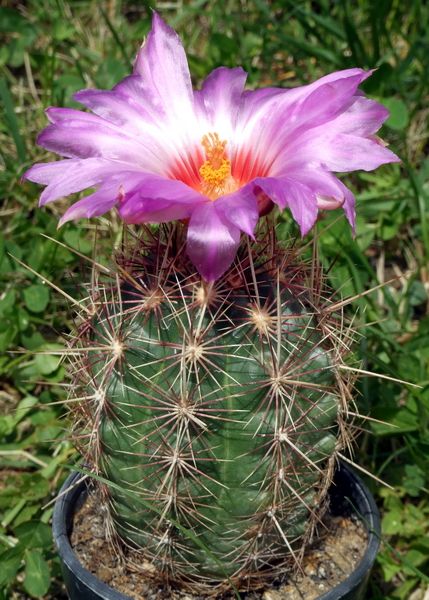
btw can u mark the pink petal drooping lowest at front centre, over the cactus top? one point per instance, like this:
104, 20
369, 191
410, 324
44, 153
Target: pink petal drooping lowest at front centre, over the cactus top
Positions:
212, 241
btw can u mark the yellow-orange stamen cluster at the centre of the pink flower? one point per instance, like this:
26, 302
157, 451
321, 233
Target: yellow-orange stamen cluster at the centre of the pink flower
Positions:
216, 170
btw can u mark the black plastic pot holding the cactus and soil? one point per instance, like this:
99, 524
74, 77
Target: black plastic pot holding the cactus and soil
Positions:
348, 495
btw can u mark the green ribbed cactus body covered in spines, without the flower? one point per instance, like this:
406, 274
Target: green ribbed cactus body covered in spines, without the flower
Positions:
216, 409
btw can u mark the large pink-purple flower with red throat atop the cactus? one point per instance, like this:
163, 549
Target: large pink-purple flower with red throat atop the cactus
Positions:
216, 157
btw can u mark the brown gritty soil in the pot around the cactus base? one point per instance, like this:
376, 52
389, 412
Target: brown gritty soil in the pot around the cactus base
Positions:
327, 562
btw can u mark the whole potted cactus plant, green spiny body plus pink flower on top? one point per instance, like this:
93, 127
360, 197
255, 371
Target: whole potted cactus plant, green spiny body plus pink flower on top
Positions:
211, 401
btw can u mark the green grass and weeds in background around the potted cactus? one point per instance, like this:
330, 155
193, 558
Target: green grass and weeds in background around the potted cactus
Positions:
54, 48
